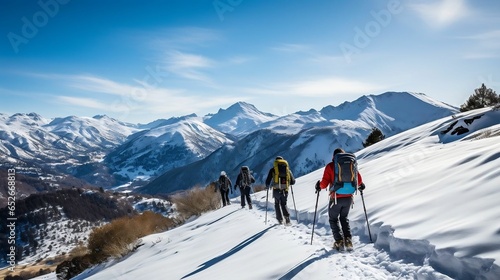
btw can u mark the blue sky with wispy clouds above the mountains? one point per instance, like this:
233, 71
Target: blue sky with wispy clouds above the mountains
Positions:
138, 61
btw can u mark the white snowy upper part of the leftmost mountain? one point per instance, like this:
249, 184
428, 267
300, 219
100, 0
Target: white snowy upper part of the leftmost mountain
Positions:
31, 138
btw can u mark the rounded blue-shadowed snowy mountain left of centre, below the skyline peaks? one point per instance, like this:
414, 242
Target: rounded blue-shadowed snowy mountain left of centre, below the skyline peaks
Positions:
170, 144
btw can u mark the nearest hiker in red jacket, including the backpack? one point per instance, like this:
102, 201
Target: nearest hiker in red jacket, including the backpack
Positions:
340, 199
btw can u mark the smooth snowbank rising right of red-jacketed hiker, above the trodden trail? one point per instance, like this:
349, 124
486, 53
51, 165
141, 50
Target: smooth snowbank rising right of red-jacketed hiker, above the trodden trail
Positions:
444, 186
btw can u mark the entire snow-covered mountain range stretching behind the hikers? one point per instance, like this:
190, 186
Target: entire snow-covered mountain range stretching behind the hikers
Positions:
178, 153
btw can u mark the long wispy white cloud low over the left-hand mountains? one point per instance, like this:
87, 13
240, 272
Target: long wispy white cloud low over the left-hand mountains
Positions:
142, 101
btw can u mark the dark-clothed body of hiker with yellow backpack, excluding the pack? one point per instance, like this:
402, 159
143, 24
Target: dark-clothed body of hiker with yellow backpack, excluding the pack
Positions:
280, 191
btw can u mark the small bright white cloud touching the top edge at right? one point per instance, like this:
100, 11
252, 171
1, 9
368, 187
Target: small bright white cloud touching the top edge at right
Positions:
442, 13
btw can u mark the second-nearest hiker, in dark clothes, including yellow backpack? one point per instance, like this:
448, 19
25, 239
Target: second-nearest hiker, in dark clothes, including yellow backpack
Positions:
280, 177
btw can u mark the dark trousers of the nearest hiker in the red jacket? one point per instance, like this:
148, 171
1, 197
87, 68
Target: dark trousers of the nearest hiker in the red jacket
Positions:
337, 212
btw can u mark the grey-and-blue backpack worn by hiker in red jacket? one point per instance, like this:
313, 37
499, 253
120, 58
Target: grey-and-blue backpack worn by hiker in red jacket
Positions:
345, 173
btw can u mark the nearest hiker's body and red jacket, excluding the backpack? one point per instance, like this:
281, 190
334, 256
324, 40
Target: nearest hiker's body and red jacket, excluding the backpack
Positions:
339, 205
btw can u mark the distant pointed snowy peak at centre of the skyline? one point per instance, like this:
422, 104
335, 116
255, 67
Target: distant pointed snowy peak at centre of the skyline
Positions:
239, 119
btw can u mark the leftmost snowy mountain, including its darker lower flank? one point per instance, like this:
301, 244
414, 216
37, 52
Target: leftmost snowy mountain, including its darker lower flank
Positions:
56, 148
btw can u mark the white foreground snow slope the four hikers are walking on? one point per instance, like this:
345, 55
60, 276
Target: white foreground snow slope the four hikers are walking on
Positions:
431, 199
